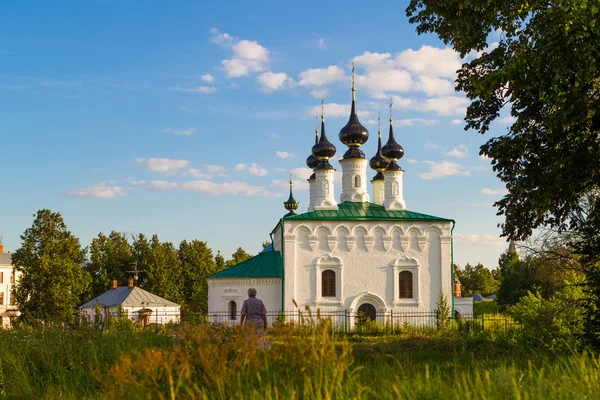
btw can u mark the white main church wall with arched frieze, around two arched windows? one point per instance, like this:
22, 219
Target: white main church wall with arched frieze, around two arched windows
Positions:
370, 256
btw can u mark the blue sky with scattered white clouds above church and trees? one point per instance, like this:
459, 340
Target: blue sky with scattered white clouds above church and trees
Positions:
183, 118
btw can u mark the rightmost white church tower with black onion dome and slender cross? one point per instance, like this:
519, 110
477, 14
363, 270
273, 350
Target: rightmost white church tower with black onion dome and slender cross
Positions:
394, 196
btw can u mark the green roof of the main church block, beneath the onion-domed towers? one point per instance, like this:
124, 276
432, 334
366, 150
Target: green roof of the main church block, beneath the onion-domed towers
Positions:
365, 212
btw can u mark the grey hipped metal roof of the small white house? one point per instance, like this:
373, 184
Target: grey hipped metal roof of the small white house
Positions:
129, 297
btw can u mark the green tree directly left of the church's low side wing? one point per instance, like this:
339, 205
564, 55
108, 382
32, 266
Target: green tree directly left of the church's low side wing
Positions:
197, 264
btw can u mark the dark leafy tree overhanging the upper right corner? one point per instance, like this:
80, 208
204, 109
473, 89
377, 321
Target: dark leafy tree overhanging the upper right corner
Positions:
546, 69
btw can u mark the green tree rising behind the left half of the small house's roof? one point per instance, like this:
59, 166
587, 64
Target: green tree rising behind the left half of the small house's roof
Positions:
110, 258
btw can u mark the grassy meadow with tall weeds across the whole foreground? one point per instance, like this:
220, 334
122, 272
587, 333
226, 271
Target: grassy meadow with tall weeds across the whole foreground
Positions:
209, 362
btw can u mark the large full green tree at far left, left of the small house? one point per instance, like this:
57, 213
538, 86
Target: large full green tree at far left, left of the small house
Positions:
50, 259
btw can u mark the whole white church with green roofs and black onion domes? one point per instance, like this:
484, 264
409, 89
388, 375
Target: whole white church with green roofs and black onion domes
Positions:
364, 253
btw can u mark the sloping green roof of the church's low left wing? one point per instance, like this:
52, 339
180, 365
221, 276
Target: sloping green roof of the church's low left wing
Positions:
267, 264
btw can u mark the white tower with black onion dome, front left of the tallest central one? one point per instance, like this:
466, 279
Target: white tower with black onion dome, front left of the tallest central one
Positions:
324, 198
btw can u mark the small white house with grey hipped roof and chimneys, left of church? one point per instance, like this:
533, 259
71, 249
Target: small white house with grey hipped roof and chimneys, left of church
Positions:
139, 305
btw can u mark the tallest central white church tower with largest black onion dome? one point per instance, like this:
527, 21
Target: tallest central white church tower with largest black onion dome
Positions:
354, 163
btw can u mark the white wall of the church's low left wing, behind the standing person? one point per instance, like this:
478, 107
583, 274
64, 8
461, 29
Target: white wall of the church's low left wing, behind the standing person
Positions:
222, 291
